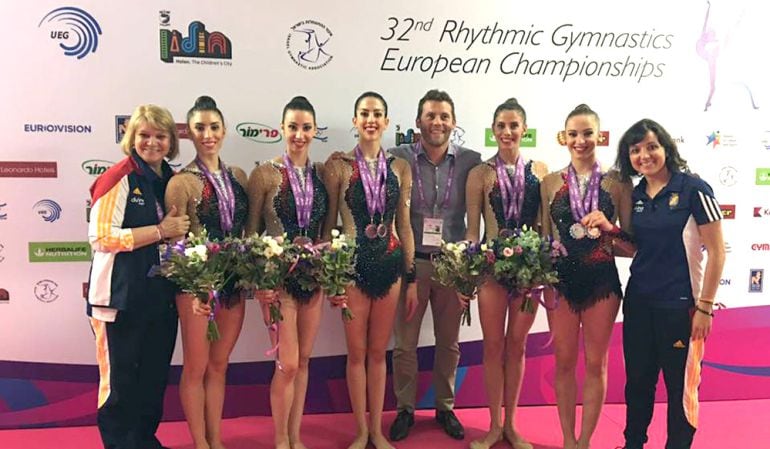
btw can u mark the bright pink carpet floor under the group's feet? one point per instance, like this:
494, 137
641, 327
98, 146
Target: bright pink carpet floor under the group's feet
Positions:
724, 425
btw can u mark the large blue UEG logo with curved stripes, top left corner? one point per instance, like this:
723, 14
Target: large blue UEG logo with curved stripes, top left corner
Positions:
76, 30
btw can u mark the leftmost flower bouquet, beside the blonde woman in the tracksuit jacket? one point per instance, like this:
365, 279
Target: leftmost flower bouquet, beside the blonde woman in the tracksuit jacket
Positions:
199, 267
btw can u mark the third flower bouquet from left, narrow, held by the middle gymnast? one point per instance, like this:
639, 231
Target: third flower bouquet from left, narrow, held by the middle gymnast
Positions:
337, 269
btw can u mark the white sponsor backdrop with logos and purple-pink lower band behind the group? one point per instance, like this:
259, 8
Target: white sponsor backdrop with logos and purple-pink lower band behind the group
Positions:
77, 70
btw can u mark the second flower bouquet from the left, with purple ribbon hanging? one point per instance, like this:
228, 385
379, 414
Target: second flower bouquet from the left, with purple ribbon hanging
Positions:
262, 263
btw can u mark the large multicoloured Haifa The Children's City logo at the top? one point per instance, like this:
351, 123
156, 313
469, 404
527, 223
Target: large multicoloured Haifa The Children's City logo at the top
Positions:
199, 47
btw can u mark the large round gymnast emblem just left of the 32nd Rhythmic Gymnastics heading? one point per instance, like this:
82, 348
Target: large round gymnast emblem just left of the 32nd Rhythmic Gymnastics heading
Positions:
307, 44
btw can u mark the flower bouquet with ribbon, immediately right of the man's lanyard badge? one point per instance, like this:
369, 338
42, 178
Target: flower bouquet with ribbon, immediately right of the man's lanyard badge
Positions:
464, 267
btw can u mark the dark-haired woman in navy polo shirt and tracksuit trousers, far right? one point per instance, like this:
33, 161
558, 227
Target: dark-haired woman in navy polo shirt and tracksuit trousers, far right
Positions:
668, 309
